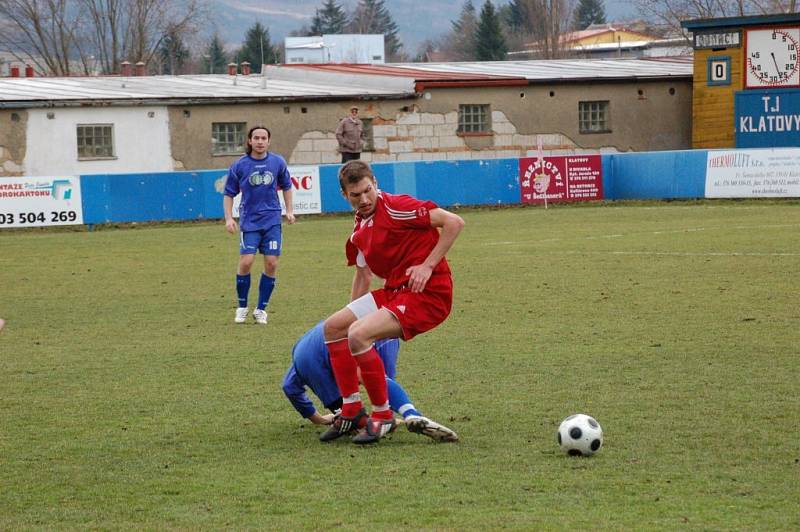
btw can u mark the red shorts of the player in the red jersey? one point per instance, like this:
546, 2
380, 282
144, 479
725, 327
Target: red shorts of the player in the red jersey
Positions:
418, 312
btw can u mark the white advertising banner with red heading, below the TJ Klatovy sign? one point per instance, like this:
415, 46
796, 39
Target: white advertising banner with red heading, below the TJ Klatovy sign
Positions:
765, 173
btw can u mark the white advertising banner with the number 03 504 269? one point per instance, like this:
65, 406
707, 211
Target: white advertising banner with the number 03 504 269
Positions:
40, 201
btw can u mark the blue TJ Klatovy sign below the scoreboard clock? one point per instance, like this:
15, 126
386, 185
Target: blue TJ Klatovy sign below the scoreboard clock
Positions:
767, 118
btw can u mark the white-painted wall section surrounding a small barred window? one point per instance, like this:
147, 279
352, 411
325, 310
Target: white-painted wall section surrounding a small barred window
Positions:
141, 141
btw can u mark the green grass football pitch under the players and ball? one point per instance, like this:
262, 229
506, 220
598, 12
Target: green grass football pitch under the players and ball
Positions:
129, 399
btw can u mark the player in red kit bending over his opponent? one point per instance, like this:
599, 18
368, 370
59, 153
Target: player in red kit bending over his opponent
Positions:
402, 240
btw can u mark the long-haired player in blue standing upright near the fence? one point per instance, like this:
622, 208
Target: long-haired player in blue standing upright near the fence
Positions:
257, 175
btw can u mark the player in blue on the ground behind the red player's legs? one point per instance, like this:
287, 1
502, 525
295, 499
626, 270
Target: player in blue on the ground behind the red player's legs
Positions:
311, 368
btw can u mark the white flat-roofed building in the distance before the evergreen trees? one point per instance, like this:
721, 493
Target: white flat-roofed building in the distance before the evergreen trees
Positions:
355, 49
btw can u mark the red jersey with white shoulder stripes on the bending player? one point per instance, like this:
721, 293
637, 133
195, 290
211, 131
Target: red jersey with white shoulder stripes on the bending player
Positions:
397, 235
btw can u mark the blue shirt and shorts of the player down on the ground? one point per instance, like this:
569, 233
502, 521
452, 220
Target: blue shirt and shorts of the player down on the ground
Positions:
311, 367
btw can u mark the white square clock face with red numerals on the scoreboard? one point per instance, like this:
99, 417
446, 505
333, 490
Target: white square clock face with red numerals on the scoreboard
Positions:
772, 58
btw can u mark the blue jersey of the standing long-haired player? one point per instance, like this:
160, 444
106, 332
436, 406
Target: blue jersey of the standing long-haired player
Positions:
258, 180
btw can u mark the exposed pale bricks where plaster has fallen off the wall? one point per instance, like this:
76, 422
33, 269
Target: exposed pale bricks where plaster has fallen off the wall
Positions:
418, 136
